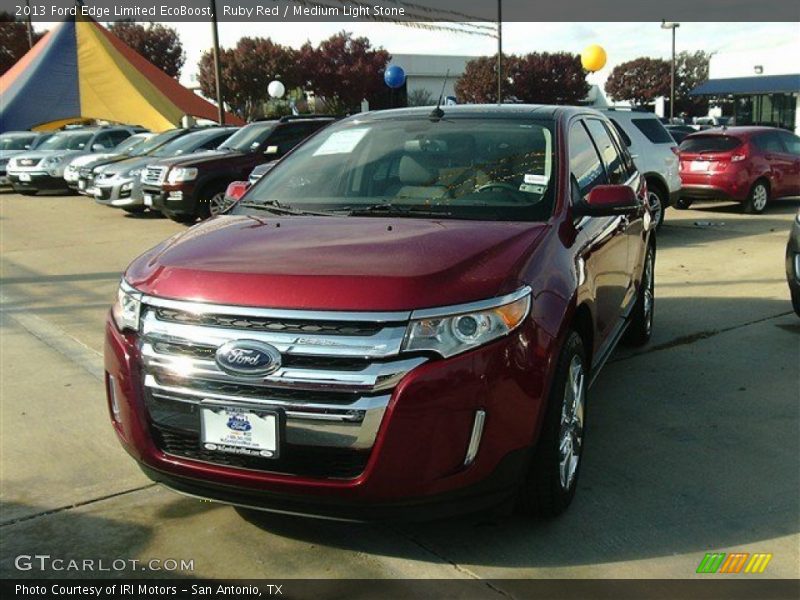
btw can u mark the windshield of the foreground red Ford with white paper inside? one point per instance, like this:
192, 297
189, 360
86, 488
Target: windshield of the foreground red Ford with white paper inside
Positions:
454, 168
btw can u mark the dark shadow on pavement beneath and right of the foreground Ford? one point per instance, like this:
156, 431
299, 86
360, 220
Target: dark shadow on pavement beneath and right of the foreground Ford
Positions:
690, 447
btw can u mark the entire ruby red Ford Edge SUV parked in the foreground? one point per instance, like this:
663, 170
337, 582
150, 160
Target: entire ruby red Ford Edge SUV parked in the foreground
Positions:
401, 318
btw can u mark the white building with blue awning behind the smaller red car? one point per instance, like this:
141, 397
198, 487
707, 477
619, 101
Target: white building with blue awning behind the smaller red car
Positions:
762, 86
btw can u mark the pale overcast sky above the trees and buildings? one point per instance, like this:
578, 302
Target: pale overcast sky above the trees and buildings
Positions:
622, 41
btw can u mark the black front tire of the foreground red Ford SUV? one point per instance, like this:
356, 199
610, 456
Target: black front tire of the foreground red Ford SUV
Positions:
544, 493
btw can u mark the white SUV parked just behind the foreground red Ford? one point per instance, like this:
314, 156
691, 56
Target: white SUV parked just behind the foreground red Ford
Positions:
654, 152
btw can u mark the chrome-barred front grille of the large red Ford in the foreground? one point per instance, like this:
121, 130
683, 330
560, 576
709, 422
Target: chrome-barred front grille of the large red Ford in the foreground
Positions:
333, 384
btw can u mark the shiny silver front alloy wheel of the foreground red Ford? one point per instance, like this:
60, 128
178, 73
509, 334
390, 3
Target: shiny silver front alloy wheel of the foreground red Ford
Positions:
571, 430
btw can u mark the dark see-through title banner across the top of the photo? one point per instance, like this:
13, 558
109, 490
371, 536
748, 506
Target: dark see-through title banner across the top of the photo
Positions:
460, 11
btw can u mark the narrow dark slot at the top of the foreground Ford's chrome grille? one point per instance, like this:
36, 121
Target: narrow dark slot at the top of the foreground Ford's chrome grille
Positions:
262, 324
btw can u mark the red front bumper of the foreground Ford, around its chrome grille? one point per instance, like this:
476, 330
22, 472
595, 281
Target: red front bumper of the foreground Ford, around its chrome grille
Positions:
417, 457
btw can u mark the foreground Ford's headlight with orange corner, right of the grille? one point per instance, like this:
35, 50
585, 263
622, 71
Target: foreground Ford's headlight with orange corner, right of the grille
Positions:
452, 330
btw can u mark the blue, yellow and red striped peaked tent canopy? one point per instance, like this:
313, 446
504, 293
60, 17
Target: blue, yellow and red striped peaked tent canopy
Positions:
80, 70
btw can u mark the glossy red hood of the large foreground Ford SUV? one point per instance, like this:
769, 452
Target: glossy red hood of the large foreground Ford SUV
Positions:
338, 263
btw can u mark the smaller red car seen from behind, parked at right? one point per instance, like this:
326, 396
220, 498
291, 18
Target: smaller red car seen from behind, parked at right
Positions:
750, 165
